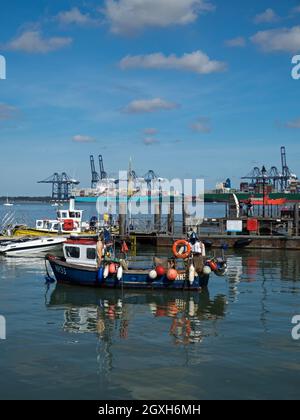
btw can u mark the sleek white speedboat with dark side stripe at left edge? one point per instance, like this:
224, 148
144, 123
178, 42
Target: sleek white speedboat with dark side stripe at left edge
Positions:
28, 245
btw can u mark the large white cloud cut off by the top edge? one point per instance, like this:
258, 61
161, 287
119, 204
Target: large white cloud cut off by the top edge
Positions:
129, 16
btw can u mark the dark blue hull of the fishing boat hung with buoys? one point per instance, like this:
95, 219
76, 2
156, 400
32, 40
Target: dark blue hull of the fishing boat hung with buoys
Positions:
88, 276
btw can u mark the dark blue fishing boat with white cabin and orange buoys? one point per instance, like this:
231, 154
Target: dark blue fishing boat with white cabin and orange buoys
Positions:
79, 266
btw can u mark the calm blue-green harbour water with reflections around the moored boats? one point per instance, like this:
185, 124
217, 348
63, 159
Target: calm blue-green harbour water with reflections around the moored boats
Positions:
233, 342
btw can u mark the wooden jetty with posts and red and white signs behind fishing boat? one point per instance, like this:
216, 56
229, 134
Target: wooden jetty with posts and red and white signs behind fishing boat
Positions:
275, 230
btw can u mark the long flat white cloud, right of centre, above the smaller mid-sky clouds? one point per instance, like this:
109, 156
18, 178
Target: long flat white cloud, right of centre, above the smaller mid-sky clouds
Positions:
197, 62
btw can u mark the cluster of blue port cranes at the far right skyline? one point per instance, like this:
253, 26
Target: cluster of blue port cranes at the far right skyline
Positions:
274, 180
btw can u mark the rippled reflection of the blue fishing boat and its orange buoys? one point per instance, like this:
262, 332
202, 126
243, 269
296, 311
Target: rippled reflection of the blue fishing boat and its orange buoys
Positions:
111, 313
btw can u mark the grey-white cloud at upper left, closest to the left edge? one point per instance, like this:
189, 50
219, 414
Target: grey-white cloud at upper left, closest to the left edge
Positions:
32, 42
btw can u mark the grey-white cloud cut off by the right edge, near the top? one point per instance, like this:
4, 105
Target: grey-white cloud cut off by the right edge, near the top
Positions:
282, 39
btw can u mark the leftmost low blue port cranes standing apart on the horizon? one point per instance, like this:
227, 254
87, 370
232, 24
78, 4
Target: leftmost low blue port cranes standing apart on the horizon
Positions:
62, 186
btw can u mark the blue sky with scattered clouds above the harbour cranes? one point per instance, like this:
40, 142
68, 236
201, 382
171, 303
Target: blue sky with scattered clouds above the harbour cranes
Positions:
187, 88
